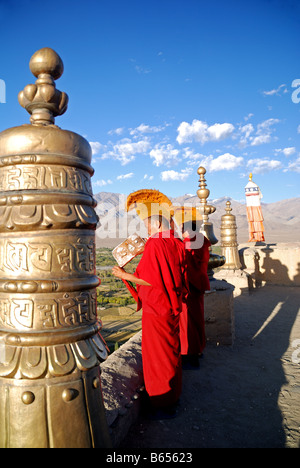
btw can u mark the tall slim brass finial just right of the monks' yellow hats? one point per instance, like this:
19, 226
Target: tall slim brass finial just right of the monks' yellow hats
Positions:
207, 227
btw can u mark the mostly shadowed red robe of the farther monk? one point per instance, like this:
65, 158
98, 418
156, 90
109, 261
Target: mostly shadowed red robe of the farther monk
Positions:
192, 326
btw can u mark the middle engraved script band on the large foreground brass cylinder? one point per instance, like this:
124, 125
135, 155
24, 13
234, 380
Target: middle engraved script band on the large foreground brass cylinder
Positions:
30, 258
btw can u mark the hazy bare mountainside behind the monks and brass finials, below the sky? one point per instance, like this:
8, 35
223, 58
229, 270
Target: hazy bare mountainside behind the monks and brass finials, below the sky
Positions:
281, 219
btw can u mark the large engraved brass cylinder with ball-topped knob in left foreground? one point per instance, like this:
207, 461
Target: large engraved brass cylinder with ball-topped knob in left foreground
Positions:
50, 345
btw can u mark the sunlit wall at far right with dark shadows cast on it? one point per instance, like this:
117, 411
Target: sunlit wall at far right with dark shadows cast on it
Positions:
272, 263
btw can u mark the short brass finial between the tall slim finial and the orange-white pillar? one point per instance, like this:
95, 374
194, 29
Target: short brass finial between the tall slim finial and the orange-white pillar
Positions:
229, 240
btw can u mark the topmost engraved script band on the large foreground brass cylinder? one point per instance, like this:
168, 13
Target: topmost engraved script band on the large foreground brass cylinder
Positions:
45, 177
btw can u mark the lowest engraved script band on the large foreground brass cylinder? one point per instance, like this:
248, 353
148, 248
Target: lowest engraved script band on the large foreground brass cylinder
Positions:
39, 312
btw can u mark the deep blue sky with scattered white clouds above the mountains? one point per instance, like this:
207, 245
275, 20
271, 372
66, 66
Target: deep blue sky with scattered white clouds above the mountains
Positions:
160, 87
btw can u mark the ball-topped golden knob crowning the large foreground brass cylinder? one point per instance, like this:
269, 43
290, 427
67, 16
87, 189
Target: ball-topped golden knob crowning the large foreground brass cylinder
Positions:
42, 100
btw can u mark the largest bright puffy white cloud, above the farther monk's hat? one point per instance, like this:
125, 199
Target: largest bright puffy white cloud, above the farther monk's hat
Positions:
202, 132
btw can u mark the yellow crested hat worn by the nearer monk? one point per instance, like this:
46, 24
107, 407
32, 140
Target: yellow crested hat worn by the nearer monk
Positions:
148, 203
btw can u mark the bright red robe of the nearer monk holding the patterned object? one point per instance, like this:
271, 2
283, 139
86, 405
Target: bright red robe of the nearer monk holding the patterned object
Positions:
163, 266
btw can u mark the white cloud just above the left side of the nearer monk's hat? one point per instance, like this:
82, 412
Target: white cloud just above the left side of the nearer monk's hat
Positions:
126, 150
